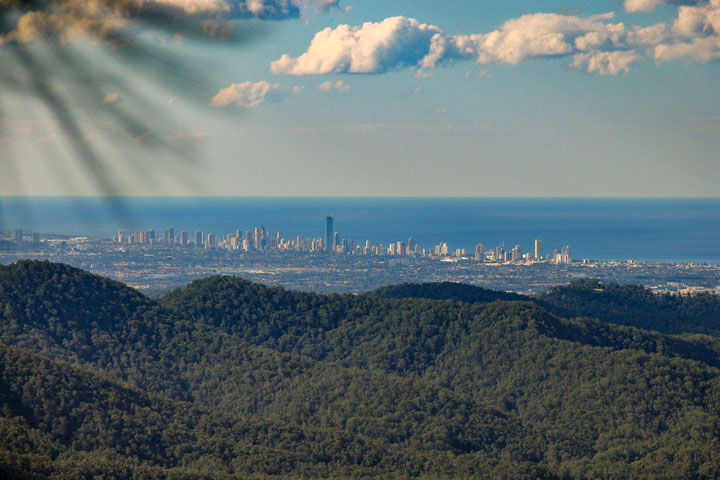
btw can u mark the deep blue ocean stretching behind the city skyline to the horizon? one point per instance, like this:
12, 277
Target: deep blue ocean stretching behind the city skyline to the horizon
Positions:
654, 230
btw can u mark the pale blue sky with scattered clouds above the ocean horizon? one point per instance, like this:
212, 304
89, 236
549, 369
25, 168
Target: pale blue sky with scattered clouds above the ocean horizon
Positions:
361, 98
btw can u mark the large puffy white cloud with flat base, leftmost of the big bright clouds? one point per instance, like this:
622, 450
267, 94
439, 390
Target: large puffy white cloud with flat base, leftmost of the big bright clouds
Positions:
370, 48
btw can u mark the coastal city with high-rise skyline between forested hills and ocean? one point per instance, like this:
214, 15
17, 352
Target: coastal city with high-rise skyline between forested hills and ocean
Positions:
157, 261
